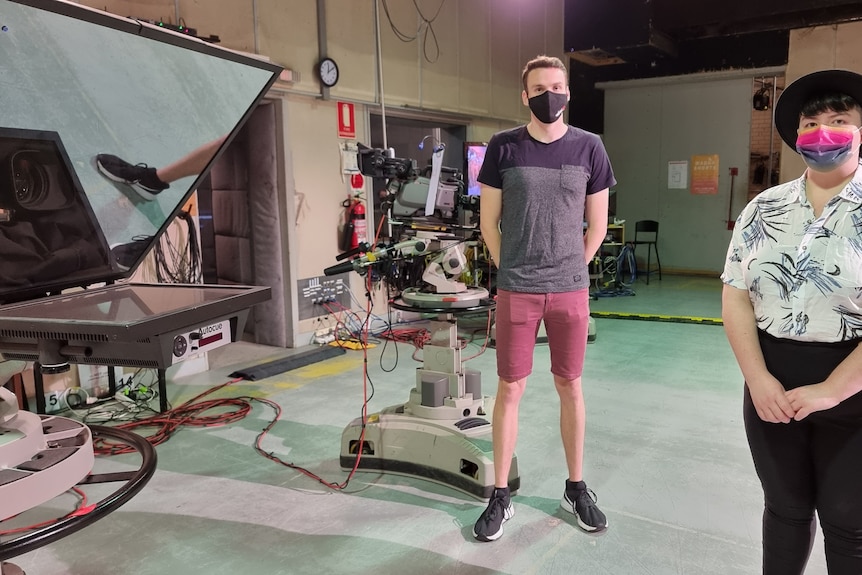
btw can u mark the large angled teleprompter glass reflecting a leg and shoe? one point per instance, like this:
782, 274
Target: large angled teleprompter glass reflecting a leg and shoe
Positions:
86, 94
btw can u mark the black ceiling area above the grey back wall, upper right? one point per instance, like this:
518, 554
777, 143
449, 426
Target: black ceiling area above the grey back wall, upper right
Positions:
627, 39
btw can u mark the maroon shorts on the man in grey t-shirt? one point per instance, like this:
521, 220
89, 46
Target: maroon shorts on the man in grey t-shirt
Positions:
566, 317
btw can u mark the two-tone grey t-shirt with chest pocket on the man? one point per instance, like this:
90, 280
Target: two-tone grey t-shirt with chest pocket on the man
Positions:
544, 193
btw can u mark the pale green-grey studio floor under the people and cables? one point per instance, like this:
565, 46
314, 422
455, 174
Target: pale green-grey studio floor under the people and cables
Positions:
665, 453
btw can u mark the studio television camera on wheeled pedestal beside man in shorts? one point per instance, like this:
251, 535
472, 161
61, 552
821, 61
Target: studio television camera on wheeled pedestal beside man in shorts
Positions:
441, 433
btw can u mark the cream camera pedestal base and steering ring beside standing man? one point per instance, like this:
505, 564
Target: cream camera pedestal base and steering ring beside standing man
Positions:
441, 433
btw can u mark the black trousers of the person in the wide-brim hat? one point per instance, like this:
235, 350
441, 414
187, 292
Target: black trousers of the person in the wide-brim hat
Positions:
806, 465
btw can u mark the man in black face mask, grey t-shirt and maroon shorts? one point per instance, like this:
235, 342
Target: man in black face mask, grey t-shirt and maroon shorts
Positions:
540, 182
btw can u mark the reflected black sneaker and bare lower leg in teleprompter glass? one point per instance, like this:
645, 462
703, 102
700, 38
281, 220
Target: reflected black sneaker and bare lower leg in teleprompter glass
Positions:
148, 181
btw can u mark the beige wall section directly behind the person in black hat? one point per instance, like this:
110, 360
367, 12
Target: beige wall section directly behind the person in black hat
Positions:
813, 49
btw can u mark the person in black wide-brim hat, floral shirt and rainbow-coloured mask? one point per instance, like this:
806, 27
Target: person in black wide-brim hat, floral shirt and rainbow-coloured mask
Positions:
792, 309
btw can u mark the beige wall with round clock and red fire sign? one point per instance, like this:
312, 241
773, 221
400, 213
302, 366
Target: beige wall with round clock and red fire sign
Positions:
471, 74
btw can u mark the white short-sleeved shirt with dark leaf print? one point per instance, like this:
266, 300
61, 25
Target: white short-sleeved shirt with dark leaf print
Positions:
803, 273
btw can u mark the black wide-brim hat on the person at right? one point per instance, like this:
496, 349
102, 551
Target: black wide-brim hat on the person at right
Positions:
793, 97
